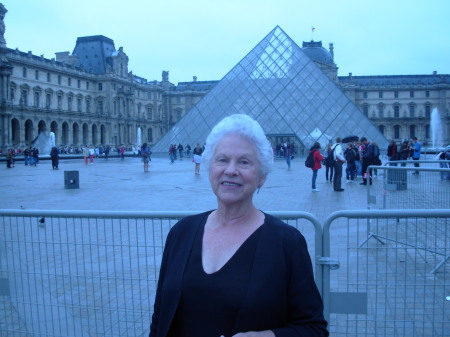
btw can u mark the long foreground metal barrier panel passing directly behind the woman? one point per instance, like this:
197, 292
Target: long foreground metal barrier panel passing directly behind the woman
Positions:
85, 273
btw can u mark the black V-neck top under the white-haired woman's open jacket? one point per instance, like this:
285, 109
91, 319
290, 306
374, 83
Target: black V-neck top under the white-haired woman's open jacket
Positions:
209, 302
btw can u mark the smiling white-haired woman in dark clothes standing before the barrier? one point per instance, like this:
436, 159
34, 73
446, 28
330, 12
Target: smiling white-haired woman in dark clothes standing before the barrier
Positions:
236, 271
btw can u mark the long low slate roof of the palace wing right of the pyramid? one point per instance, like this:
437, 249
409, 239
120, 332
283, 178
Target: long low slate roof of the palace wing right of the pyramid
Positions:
395, 80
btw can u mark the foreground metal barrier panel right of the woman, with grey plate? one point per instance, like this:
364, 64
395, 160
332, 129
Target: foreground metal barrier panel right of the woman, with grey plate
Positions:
387, 283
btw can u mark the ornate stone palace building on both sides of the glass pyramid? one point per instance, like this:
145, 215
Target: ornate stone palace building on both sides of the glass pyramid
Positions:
91, 97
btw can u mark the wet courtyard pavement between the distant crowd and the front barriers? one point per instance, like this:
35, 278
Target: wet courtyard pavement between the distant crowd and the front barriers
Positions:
123, 185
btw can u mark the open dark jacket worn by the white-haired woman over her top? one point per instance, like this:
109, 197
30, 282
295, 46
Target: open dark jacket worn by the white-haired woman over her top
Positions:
282, 295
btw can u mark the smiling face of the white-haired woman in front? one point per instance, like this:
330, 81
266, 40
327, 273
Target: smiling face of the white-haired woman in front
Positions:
234, 173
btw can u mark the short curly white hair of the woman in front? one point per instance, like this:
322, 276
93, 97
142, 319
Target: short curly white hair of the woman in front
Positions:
247, 127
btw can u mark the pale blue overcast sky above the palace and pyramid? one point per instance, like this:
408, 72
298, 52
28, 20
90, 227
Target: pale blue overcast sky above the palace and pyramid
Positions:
206, 38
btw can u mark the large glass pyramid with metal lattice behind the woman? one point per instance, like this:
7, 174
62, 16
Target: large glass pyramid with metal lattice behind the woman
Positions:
285, 91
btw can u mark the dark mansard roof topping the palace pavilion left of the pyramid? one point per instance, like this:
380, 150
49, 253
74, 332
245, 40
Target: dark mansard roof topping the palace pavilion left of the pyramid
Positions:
93, 51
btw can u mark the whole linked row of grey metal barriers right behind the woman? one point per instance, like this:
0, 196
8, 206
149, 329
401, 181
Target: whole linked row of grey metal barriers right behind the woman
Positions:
89, 273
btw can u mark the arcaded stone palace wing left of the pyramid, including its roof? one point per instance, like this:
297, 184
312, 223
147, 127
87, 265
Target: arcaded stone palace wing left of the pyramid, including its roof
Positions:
85, 98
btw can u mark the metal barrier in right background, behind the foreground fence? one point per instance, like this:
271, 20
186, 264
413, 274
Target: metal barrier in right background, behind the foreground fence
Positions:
407, 187
